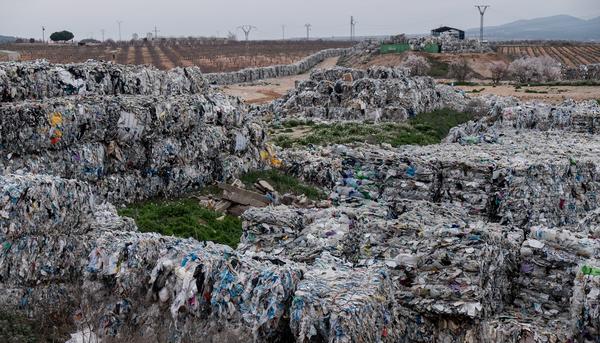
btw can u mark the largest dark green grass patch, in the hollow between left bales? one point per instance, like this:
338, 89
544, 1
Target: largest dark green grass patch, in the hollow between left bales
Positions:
185, 218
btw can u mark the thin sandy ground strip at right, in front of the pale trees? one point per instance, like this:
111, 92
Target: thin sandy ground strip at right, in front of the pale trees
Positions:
550, 94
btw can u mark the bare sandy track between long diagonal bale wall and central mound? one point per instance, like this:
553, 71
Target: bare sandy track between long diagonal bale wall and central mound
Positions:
267, 90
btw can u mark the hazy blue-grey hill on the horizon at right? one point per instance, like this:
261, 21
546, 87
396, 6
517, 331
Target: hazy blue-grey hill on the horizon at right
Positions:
560, 27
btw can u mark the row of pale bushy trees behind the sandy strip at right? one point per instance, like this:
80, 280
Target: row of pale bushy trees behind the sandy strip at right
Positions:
522, 70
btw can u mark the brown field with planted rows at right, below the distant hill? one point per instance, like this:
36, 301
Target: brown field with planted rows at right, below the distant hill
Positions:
570, 55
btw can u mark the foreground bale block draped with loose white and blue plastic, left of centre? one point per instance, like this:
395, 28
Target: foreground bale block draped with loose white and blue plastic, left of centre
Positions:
181, 288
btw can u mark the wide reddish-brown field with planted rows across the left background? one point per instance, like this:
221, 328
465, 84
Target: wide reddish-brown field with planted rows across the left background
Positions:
210, 56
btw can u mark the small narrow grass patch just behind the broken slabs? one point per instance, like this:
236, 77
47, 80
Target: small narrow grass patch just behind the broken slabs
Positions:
283, 183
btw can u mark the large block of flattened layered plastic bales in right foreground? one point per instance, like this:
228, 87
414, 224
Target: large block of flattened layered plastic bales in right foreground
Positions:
442, 261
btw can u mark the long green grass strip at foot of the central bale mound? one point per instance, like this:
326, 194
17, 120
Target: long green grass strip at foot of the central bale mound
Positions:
424, 129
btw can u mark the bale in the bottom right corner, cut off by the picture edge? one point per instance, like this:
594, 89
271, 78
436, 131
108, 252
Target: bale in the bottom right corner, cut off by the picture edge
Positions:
585, 303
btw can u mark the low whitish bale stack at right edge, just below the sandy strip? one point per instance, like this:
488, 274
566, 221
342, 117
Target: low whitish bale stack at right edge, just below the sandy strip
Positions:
568, 116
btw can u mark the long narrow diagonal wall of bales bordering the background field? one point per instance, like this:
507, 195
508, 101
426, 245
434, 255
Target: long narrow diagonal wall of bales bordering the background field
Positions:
255, 74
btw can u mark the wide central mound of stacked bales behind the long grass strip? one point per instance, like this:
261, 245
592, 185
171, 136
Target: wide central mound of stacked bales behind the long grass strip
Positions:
379, 94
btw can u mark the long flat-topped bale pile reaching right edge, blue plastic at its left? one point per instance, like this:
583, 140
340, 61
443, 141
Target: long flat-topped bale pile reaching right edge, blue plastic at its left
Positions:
522, 179
